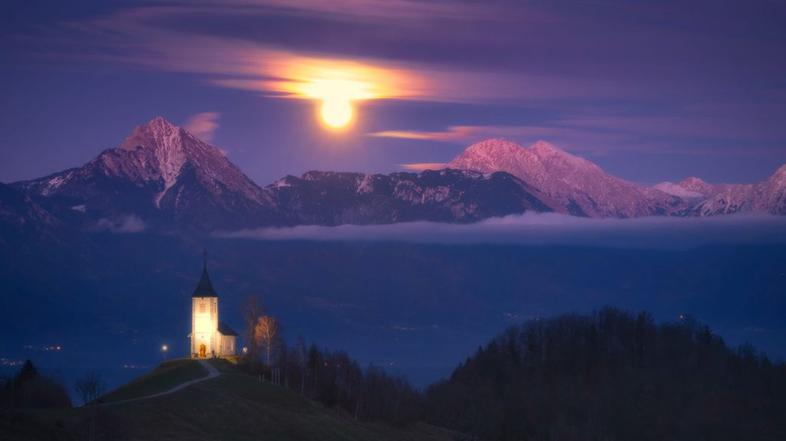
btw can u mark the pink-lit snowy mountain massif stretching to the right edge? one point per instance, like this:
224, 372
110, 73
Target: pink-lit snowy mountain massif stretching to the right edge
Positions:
582, 188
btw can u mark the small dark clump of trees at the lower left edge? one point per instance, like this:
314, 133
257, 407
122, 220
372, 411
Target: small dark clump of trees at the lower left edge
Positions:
29, 389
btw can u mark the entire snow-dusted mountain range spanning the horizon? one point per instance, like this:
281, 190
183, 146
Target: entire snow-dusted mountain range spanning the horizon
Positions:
163, 178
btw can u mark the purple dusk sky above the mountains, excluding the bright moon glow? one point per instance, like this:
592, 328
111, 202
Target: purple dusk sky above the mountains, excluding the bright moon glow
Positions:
650, 90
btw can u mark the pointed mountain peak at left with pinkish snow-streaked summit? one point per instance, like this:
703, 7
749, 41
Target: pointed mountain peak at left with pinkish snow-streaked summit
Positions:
161, 174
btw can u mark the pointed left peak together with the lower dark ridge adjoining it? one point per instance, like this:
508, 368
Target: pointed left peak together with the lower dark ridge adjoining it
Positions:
163, 177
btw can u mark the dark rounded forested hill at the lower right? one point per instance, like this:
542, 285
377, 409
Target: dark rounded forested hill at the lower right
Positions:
612, 376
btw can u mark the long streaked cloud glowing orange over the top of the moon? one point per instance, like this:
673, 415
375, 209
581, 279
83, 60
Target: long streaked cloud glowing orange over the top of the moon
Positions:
165, 38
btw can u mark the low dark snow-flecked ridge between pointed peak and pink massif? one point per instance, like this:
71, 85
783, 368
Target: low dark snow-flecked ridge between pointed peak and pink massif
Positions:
328, 198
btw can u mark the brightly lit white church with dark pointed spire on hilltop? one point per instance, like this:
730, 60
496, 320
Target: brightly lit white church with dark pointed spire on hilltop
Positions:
209, 336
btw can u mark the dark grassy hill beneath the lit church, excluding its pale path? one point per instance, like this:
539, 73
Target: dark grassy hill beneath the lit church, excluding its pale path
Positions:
233, 406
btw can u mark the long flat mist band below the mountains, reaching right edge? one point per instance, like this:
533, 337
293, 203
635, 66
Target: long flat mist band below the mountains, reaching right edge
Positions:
551, 229
